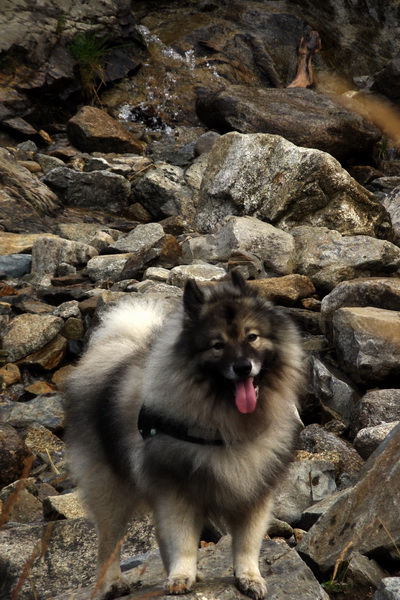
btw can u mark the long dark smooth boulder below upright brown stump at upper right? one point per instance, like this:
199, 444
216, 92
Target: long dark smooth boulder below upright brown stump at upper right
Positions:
330, 126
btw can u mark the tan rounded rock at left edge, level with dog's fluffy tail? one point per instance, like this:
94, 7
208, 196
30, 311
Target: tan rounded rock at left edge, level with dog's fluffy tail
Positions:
28, 333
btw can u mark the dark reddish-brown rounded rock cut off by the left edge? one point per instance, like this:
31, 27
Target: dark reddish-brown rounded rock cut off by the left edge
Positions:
13, 453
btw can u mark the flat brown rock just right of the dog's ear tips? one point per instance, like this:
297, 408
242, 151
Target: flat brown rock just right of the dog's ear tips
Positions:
286, 290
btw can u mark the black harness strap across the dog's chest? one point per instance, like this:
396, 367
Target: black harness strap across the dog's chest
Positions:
151, 424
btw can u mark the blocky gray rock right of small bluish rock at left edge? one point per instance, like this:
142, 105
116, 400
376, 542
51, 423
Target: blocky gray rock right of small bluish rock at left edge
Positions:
49, 252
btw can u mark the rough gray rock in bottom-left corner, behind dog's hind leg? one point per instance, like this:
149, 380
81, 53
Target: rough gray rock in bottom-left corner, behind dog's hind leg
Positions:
69, 555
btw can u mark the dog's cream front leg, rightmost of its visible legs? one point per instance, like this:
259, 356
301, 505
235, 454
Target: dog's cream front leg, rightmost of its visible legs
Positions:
247, 534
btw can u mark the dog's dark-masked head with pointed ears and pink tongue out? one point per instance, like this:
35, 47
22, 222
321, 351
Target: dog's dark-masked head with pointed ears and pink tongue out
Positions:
232, 336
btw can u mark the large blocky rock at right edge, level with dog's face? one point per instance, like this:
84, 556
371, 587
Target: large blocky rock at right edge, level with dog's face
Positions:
367, 341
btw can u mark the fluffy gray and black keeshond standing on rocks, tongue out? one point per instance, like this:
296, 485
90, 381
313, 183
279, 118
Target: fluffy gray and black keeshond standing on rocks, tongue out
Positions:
190, 412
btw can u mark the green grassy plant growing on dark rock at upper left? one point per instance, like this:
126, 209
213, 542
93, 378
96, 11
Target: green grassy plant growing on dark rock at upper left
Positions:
89, 51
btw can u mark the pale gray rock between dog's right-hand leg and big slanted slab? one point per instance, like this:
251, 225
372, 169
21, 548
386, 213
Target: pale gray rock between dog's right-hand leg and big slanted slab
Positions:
307, 482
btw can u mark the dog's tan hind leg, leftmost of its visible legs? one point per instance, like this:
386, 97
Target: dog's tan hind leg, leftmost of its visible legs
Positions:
111, 508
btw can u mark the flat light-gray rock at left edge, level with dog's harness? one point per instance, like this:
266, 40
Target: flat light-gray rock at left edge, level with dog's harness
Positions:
45, 410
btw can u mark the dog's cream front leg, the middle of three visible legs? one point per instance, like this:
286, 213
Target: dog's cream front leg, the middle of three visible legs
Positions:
178, 528
